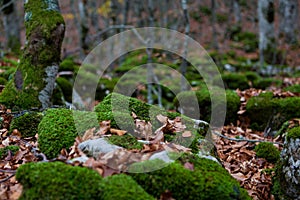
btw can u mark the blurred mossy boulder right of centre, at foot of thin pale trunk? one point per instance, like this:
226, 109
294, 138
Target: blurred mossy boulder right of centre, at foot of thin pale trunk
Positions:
205, 103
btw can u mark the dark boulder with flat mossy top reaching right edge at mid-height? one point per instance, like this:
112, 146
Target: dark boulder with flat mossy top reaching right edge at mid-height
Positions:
266, 111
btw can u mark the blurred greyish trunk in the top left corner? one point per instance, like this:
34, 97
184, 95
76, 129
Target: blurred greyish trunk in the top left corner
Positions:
11, 26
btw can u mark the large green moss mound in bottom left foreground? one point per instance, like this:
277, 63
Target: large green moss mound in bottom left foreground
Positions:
56, 180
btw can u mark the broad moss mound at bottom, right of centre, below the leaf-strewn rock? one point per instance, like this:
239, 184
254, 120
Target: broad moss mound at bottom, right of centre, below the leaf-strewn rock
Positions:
208, 181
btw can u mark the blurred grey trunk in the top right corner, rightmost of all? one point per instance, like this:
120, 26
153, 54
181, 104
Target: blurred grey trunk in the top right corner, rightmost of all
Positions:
288, 10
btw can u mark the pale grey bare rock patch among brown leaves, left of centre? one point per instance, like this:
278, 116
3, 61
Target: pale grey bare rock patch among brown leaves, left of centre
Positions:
97, 146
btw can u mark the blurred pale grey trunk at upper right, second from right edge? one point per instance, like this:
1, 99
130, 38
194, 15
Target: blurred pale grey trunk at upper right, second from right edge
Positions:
266, 29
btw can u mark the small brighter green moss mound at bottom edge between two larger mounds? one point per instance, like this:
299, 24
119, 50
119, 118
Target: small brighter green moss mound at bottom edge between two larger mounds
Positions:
122, 187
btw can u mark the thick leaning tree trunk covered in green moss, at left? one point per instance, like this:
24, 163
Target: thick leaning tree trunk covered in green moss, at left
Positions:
34, 80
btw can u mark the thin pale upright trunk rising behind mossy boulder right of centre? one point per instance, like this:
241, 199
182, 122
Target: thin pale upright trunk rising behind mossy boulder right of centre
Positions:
185, 45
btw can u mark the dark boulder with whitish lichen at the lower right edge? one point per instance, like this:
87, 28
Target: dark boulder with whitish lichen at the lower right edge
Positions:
287, 180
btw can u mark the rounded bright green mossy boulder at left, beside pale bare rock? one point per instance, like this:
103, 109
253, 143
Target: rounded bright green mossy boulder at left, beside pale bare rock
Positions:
59, 128
